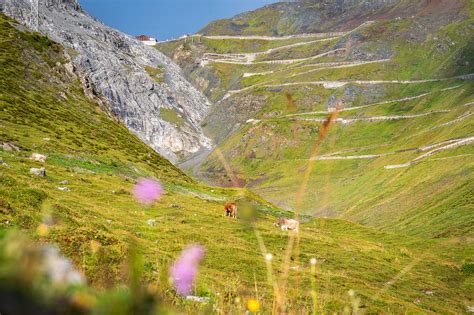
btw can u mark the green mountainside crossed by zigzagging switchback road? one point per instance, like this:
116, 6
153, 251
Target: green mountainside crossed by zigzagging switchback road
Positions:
399, 155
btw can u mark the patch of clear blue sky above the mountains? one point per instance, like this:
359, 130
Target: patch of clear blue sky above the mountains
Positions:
165, 19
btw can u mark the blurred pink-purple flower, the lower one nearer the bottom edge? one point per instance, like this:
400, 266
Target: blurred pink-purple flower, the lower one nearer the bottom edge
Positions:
185, 269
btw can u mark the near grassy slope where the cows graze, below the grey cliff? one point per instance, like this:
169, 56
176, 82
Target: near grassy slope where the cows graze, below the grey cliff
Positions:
95, 220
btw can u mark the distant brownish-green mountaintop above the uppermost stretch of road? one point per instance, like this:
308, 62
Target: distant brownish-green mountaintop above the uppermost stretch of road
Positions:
321, 16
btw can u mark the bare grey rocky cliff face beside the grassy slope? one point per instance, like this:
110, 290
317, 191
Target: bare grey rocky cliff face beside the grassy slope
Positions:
139, 83
